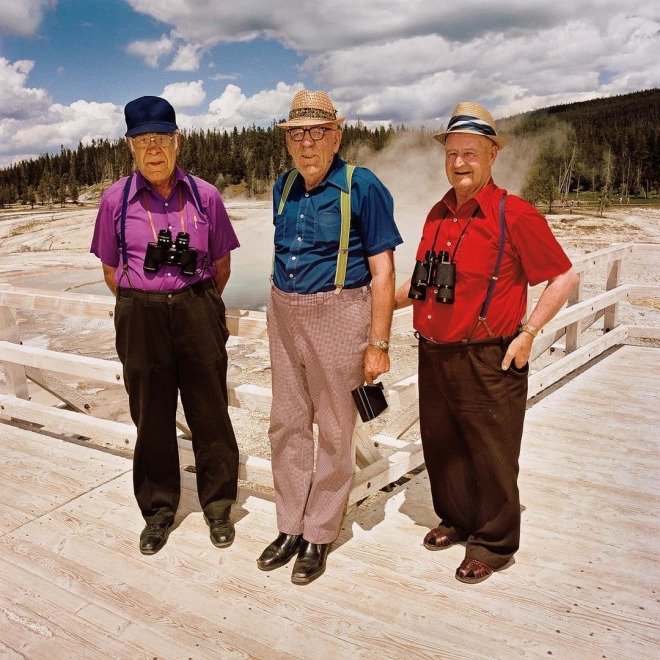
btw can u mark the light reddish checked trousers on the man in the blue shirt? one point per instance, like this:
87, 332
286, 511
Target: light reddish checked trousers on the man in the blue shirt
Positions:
317, 344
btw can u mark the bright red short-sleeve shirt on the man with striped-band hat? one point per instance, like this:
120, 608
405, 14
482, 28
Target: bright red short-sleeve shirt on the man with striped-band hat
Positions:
471, 237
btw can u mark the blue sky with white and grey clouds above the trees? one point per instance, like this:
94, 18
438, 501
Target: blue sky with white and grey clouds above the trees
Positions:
68, 67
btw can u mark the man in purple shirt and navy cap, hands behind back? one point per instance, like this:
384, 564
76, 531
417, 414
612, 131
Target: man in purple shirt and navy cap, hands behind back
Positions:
164, 240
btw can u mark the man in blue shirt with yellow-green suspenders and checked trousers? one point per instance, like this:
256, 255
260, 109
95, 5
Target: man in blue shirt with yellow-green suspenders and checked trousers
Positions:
328, 332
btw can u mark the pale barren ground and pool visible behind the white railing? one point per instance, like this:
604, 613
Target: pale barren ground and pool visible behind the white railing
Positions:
48, 249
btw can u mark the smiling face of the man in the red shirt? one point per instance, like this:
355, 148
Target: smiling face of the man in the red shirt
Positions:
468, 163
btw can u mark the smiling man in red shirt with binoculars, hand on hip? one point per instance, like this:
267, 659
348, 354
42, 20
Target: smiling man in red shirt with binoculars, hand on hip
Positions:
469, 291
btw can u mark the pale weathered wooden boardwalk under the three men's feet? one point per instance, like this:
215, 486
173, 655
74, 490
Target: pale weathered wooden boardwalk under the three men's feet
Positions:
585, 584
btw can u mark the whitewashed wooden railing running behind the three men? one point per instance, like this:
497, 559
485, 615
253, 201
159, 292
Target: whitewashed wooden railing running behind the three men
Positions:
382, 458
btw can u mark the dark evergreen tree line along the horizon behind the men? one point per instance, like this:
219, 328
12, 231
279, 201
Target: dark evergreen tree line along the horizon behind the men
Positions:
607, 147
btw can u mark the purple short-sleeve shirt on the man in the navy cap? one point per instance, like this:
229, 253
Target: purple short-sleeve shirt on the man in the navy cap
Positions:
210, 229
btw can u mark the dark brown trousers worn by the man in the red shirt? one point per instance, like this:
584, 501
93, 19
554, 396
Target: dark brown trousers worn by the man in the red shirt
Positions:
471, 422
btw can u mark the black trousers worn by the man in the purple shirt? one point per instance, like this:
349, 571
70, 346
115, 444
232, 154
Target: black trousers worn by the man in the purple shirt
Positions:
170, 343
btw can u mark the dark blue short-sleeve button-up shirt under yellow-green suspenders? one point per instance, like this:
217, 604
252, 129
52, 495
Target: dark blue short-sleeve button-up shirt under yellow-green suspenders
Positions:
307, 231
